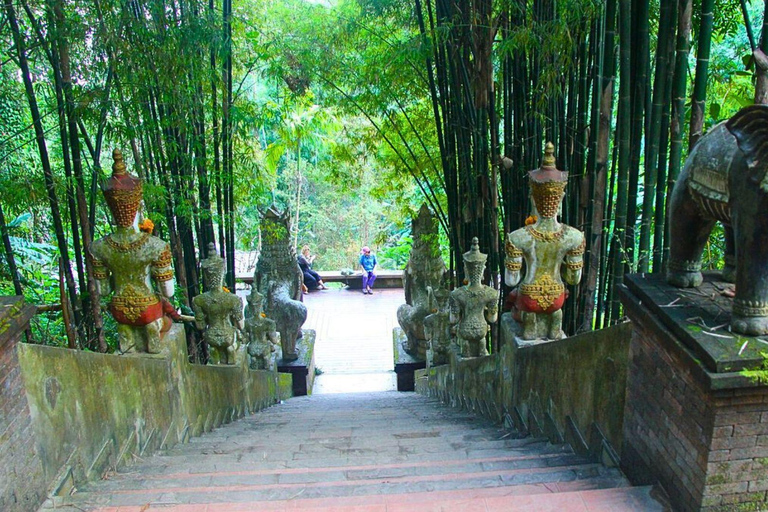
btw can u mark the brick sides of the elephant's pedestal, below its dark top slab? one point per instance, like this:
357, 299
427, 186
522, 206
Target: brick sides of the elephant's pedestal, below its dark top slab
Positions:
707, 447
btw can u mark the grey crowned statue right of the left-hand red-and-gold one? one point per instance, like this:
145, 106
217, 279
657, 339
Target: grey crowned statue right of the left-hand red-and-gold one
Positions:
218, 313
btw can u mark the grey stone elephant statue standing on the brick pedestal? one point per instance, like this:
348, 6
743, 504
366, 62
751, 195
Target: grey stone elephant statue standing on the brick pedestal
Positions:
725, 179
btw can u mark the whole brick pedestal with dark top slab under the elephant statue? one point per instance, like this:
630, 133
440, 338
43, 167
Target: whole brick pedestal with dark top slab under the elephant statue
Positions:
694, 422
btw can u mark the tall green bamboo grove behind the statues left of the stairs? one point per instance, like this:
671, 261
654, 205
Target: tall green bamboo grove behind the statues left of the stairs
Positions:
153, 76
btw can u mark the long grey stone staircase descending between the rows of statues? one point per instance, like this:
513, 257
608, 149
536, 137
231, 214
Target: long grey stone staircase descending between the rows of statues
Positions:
369, 451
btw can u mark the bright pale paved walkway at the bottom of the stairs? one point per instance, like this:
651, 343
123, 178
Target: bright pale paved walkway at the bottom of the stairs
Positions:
353, 347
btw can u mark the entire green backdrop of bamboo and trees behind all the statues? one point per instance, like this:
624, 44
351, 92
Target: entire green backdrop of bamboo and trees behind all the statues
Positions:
352, 113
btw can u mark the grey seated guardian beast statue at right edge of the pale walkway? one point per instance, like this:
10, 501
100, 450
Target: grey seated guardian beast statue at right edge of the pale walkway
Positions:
425, 270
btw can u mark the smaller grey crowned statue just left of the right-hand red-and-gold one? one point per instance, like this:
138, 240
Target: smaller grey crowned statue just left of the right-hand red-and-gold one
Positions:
473, 306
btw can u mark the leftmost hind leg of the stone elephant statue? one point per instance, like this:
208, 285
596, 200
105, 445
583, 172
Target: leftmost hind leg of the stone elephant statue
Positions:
689, 229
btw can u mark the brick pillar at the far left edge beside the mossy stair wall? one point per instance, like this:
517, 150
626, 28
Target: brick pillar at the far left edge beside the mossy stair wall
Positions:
21, 484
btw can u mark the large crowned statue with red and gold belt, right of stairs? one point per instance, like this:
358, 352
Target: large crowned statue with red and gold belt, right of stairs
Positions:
546, 245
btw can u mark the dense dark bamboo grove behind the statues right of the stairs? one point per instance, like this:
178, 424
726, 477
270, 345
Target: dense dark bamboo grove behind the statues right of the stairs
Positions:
507, 76
